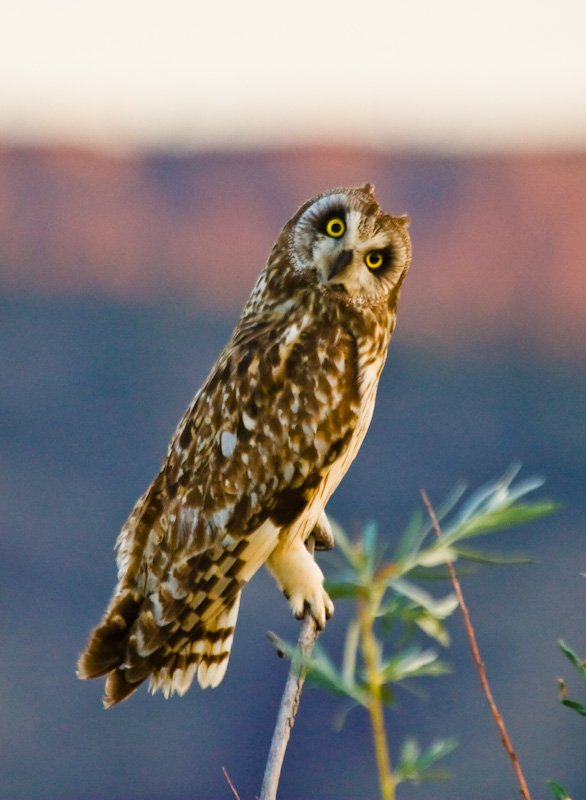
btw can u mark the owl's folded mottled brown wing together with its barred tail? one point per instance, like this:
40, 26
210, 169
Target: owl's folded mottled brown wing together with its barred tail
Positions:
276, 412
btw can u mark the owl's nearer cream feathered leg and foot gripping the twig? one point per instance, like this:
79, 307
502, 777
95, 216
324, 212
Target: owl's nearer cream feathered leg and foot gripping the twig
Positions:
301, 581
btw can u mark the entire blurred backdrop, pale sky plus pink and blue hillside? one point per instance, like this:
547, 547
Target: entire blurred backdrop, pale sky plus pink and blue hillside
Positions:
150, 153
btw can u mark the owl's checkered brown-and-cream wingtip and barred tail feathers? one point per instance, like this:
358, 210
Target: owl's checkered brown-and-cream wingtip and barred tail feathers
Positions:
170, 637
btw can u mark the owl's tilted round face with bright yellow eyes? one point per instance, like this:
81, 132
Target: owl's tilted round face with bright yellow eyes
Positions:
351, 249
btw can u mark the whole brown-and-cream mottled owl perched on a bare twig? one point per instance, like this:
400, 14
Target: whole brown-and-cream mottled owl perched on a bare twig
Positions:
258, 453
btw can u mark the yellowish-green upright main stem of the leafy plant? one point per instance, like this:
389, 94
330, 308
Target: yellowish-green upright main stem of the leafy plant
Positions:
371, 655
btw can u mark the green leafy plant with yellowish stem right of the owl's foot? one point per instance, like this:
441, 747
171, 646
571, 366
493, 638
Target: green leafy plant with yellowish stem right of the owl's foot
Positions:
379, 654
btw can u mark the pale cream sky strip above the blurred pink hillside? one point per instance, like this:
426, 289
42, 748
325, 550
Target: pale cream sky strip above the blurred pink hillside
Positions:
446, 75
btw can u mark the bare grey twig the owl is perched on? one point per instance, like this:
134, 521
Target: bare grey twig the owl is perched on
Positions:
288, 707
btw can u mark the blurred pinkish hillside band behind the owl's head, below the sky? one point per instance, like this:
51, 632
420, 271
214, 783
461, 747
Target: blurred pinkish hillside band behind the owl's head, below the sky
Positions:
499, 243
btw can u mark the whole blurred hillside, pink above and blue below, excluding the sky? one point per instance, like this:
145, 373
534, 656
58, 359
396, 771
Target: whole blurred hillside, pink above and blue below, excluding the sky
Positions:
120, 281
